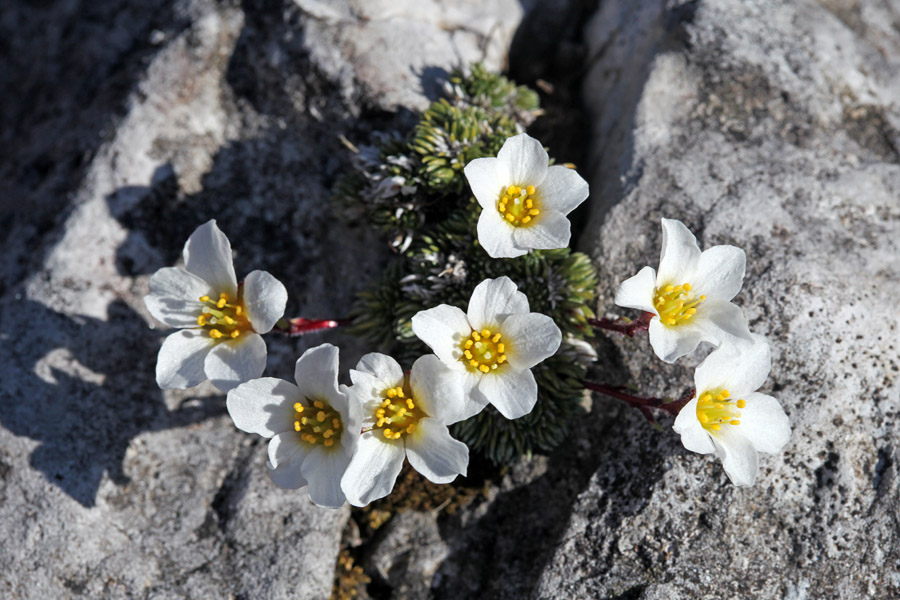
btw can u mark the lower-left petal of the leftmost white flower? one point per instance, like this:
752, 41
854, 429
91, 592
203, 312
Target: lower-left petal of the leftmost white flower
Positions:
181, 358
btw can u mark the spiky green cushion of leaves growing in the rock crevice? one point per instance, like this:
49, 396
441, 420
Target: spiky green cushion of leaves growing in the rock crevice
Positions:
414, 190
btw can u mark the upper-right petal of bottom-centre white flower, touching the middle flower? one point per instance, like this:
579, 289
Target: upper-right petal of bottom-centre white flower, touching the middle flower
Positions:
437, 389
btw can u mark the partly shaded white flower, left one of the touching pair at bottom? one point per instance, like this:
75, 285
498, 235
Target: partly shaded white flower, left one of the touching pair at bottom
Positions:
313, 425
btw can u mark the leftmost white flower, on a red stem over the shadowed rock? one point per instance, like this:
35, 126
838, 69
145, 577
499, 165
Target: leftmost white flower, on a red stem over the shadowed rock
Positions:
220, 320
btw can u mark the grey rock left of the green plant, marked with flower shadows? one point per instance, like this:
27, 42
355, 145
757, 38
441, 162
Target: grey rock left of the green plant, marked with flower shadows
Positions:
125, 126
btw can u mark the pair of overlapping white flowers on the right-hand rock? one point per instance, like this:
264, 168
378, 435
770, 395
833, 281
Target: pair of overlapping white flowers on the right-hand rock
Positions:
689, 301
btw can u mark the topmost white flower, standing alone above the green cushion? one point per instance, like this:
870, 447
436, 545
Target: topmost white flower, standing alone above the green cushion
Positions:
525, 201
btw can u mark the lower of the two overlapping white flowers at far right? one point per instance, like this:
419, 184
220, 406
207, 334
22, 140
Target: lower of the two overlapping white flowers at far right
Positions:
728, 417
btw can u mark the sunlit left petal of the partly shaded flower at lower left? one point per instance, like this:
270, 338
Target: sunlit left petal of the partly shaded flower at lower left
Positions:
263, 406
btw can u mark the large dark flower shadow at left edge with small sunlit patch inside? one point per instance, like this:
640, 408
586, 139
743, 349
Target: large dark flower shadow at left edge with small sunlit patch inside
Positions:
86, 414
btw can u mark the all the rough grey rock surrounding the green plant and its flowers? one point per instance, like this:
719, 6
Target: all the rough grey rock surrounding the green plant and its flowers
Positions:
764, 124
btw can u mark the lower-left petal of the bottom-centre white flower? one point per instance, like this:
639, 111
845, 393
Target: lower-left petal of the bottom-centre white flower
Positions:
373, 470
